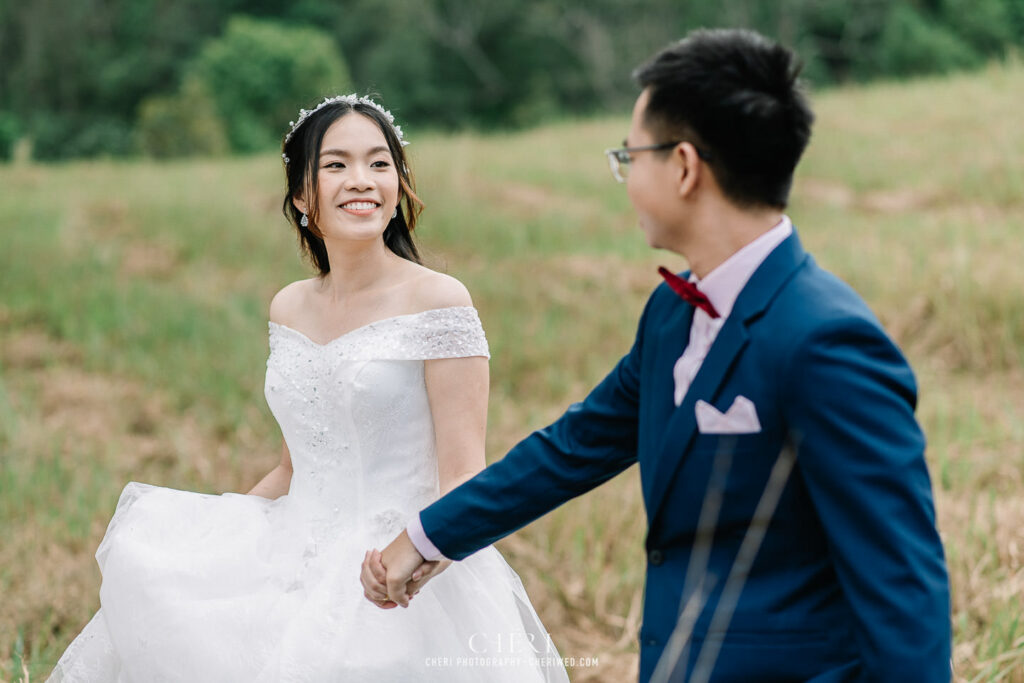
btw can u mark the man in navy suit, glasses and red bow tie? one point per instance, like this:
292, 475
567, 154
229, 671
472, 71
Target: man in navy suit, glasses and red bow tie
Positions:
769, 364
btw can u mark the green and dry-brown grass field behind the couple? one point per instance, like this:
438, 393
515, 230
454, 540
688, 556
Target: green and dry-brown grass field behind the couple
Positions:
134, 337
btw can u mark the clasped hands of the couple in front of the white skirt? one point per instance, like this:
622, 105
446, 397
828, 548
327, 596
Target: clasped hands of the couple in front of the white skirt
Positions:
392, 578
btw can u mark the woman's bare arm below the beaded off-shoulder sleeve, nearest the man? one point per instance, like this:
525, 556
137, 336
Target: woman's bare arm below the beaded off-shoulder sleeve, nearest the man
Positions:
457, 390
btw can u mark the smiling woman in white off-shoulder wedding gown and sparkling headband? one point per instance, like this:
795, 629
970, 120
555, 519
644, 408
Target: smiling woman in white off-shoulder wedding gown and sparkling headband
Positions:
378, 377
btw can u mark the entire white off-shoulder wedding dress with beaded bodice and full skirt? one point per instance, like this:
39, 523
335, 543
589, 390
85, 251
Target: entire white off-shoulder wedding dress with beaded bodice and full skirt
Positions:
240, 588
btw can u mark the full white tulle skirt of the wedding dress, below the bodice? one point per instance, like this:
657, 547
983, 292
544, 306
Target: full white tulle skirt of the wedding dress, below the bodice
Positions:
239, 588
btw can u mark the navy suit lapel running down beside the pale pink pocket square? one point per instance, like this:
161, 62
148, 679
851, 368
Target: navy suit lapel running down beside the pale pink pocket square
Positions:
726, 352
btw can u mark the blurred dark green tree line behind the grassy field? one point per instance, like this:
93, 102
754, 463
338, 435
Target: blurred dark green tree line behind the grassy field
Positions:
179, 77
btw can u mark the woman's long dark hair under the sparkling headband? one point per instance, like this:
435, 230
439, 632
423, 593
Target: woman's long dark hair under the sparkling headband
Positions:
303, 151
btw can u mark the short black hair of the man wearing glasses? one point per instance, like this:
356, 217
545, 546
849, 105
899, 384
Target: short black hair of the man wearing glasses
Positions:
735, 95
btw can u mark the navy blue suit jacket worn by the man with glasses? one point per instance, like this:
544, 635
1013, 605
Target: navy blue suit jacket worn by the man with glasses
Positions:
850, 583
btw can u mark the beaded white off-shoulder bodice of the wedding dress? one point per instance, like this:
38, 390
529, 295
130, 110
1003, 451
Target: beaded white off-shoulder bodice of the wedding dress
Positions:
356, 417
